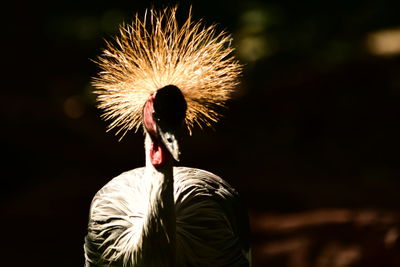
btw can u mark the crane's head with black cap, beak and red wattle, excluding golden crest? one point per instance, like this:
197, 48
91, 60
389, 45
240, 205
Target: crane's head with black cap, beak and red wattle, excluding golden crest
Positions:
163, 116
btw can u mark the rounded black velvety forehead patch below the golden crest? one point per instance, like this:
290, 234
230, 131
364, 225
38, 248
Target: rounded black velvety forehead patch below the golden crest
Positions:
170, 105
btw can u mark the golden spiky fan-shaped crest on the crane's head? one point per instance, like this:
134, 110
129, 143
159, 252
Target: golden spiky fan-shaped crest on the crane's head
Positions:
154, 52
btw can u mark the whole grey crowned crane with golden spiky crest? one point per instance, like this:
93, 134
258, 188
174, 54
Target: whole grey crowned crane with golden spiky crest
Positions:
165, 77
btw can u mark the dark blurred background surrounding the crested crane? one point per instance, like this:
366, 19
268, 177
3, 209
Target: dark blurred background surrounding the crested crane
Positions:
310, 140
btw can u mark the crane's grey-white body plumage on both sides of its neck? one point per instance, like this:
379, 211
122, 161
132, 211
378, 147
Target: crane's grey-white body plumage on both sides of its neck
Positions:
211, 224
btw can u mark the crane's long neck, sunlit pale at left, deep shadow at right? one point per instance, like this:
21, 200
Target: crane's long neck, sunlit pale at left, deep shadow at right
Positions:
160, 225
